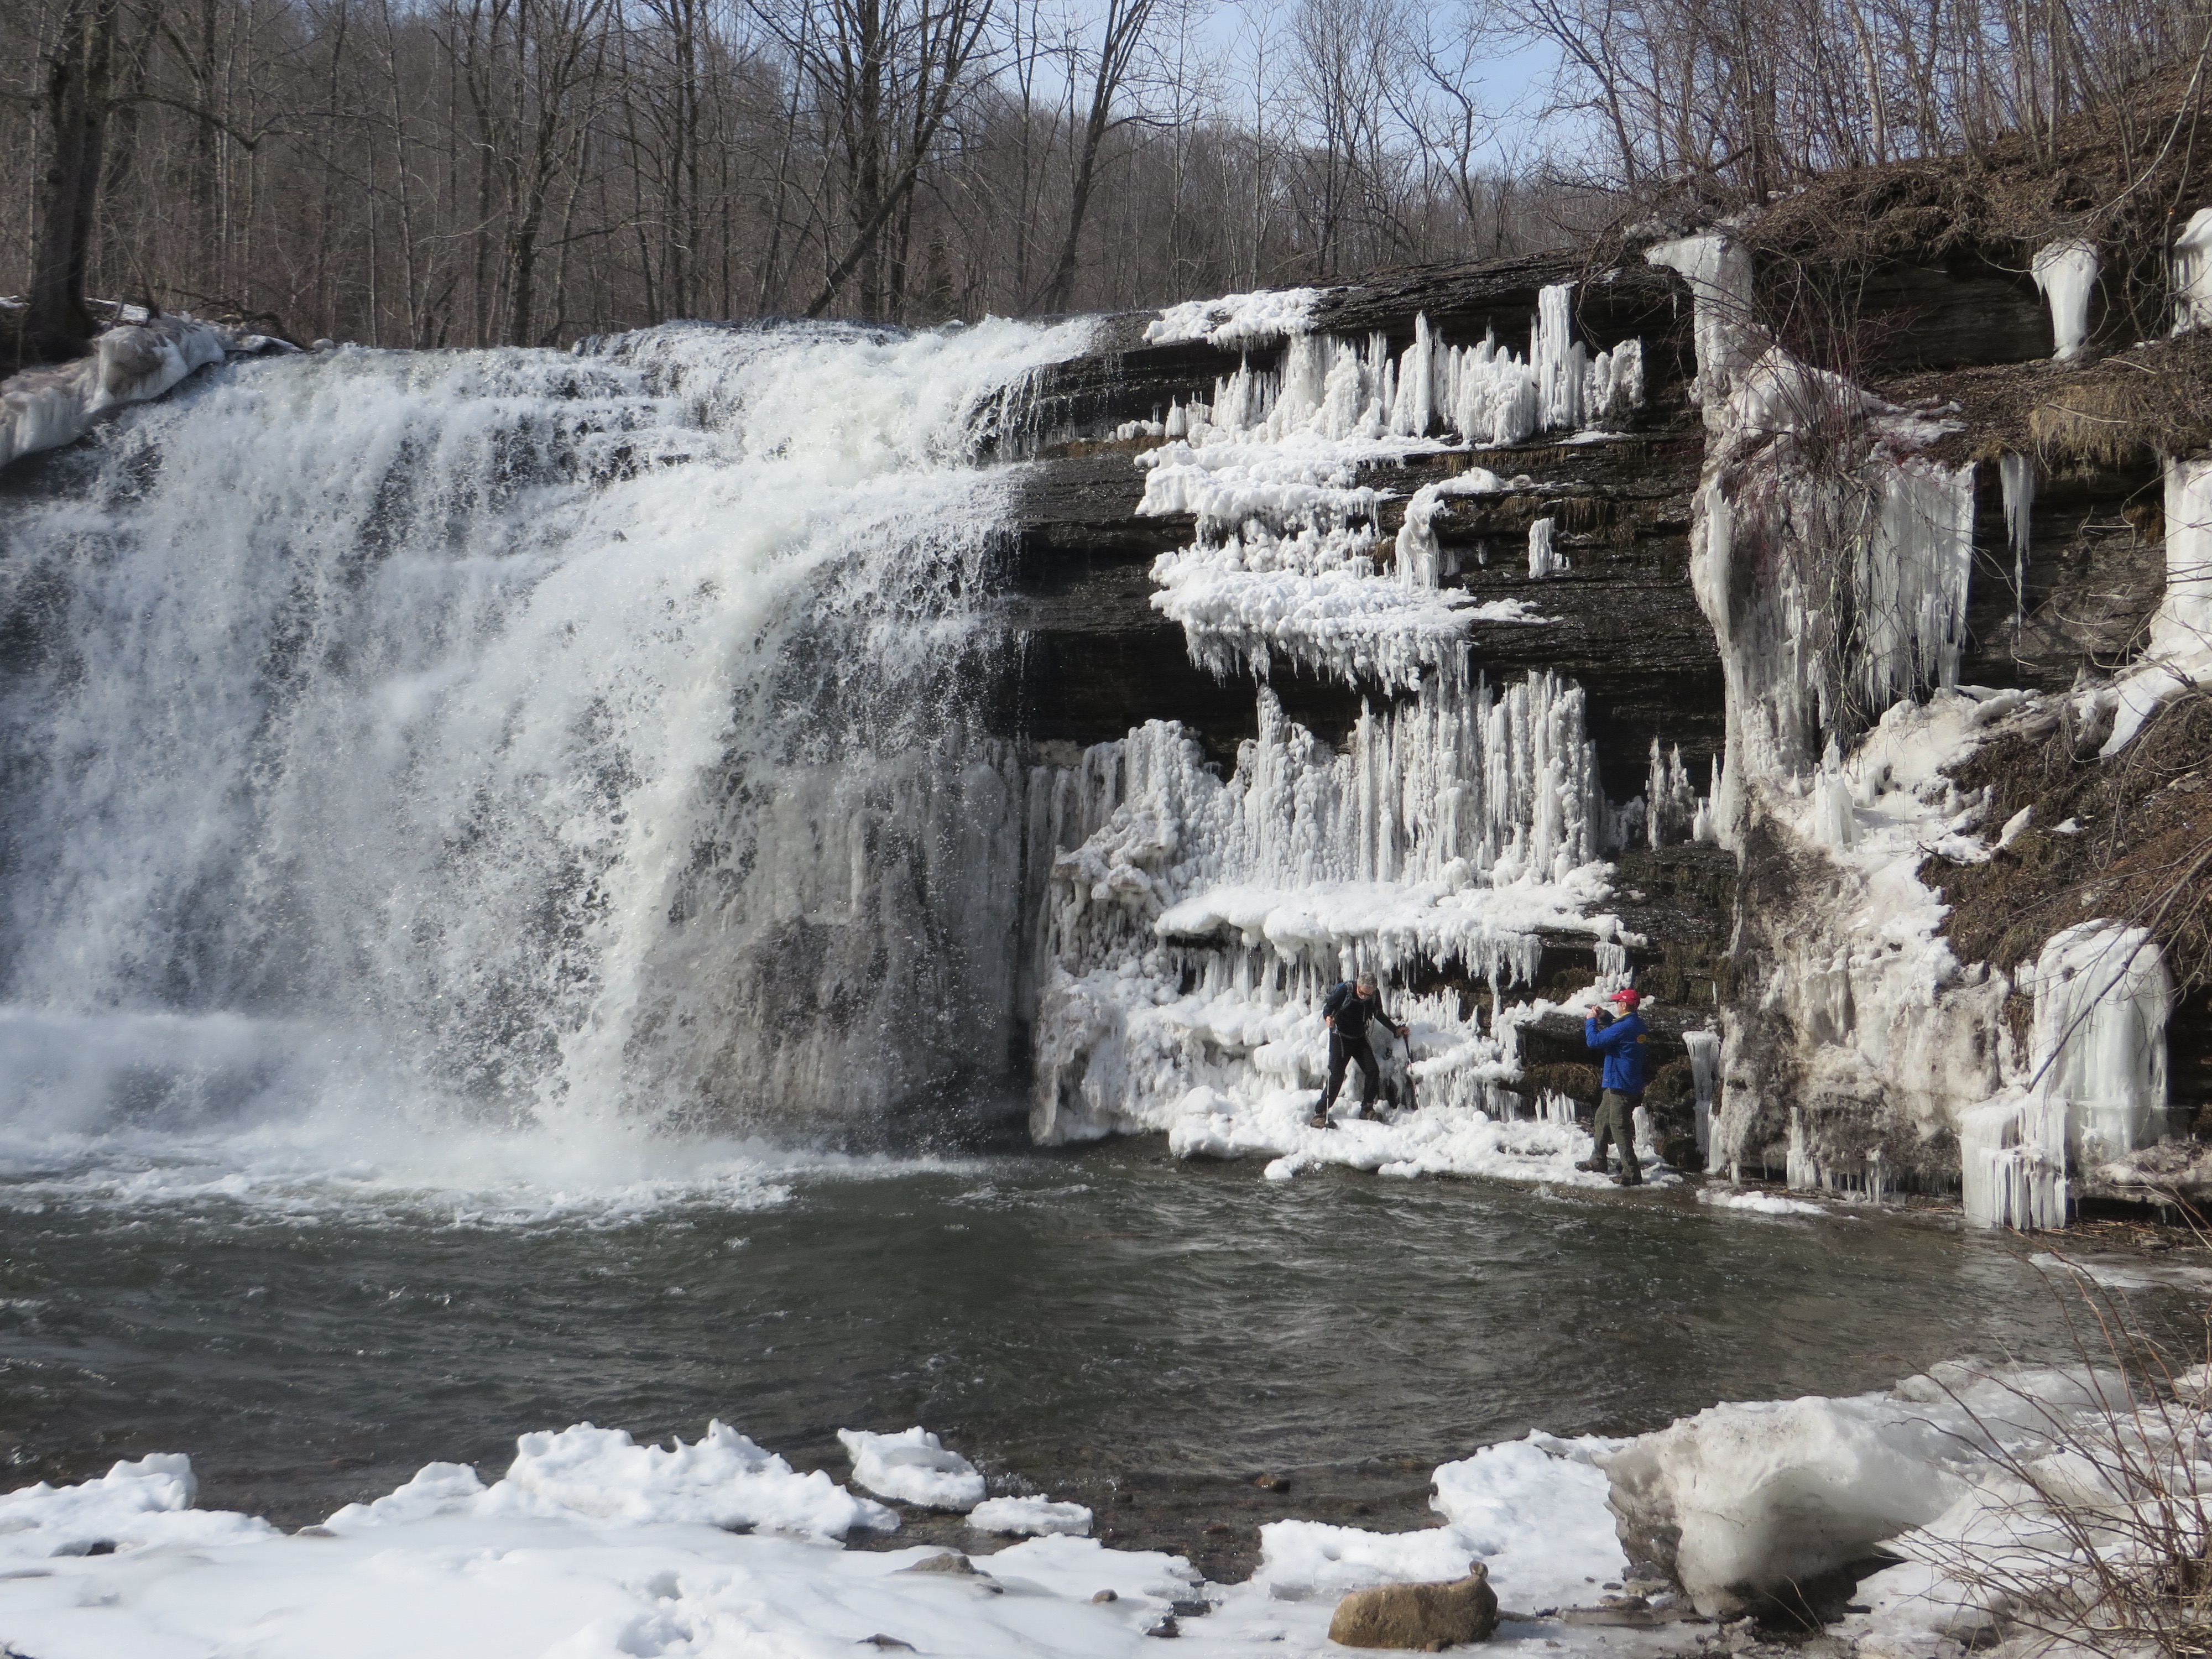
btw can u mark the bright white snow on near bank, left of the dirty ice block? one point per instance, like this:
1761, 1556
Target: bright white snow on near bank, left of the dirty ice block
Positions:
627, 1565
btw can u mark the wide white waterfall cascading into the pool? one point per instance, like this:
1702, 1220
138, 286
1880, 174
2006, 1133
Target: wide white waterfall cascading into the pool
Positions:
517, 738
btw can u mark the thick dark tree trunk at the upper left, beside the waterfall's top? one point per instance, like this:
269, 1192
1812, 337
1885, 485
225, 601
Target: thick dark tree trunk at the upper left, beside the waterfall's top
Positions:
59, 324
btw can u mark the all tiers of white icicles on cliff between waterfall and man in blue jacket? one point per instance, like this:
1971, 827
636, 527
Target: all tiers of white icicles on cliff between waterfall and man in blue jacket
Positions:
1191, 926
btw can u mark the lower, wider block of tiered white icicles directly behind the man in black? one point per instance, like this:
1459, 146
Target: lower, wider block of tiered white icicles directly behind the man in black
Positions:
1196, 921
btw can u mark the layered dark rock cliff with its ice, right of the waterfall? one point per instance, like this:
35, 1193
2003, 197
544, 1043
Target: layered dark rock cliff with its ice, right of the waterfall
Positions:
1797, 851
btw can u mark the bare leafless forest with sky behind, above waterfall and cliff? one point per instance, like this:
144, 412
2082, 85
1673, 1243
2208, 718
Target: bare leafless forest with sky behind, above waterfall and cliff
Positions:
479, 171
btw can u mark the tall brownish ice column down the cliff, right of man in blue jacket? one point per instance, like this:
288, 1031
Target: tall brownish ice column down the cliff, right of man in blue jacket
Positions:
1841, 649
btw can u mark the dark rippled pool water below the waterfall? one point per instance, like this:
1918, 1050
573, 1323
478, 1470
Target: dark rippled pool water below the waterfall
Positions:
1109, 1326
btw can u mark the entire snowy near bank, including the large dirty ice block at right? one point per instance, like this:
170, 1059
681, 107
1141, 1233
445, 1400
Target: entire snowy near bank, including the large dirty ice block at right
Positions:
601, 1550
